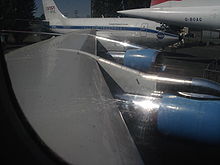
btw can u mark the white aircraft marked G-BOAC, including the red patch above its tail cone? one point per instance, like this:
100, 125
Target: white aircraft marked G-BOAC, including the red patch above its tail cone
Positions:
200, 14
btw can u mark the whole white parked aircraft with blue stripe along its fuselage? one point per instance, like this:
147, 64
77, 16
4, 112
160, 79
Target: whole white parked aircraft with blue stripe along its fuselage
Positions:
139, 31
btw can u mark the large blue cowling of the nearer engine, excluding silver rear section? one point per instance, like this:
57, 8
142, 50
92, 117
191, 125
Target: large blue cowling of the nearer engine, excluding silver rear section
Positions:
191, 119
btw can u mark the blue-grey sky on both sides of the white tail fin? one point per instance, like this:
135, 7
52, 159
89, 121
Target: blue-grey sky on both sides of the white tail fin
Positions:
67, 7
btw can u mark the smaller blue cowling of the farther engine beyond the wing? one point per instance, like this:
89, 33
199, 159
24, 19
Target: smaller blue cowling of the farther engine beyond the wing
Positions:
140, 59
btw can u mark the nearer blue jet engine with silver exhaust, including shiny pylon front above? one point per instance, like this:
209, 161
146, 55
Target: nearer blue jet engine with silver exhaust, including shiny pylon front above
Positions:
192, 112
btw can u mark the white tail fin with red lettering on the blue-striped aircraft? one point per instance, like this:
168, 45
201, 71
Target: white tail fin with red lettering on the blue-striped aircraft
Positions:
52, 13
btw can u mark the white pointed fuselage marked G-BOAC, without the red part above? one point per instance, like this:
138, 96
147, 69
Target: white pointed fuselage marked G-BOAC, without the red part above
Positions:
205, 17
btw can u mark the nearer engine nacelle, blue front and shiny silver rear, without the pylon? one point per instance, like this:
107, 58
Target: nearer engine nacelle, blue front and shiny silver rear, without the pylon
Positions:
175, 116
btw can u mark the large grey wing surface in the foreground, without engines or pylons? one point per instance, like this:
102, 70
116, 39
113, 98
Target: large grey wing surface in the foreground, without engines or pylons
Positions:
65, 99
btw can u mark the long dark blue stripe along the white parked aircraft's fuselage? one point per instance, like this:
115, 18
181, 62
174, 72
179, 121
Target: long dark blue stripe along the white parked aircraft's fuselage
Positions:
111, 28
